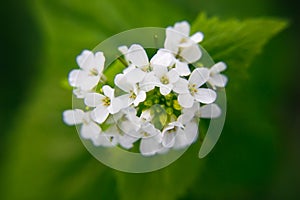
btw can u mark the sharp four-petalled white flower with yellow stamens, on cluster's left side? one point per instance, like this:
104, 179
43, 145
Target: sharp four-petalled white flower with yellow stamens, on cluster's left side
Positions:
105, 104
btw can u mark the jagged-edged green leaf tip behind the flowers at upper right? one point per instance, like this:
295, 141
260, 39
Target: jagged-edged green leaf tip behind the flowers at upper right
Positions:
236, 42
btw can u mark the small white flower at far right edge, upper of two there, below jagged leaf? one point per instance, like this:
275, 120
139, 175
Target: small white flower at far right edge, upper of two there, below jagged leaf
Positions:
215, 78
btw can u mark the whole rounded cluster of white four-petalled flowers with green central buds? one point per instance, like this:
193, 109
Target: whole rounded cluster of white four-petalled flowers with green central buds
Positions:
155, 103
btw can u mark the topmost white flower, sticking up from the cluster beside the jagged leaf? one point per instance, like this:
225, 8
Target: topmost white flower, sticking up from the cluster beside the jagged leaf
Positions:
180, 44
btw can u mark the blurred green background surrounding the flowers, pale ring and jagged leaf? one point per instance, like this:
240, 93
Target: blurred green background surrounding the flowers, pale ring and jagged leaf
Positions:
257, 156
